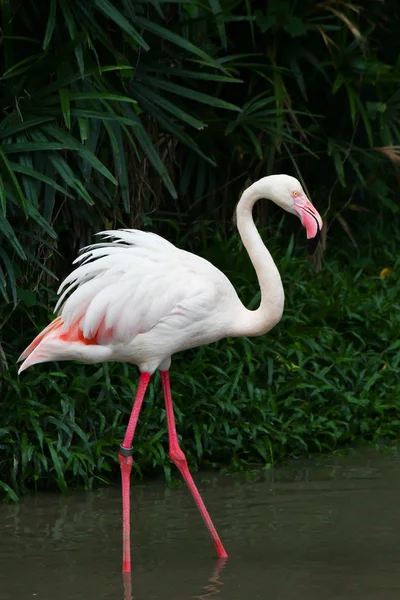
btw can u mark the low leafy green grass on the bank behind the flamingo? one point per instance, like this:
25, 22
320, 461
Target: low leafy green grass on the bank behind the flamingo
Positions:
325, 377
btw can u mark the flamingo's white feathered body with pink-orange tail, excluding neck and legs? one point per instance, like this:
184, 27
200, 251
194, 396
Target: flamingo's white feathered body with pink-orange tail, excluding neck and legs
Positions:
137, 300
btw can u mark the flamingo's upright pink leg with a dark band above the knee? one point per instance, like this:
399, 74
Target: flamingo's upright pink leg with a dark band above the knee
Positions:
125, 461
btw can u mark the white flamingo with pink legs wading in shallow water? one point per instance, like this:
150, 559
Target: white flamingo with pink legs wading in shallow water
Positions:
137, 298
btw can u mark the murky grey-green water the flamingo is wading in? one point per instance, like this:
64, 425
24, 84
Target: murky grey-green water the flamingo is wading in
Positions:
327, 531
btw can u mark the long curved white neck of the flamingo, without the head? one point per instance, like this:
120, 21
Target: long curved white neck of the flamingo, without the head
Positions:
270, 311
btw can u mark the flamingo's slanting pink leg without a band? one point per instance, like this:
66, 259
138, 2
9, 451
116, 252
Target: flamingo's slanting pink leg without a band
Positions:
178, 457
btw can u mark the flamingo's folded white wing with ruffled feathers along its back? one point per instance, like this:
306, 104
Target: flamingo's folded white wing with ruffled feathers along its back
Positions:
126, 287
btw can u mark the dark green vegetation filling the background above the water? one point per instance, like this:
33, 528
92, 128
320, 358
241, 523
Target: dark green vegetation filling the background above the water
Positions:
154, 114
